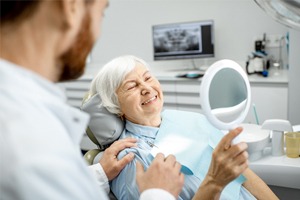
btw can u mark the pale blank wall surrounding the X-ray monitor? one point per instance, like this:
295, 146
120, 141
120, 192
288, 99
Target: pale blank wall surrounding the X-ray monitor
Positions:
126, 28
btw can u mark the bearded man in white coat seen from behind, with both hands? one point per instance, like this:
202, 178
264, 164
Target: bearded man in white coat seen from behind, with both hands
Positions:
44, 42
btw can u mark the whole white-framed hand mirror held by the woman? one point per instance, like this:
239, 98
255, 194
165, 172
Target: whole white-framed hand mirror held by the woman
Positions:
225, 94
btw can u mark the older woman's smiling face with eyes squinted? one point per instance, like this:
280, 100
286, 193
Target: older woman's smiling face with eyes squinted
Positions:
140, 97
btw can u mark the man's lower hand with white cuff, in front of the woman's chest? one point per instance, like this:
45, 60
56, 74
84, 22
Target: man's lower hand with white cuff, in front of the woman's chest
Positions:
163, 173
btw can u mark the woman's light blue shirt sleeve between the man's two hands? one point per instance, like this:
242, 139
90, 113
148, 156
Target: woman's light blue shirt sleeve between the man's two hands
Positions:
124, 185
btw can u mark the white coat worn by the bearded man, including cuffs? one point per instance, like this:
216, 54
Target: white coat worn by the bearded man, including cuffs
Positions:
40, 134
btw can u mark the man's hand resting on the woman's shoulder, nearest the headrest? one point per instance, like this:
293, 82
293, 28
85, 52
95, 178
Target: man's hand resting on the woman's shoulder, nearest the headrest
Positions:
109, 161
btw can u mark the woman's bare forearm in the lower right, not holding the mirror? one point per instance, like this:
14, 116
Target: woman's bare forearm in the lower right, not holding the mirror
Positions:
257, 187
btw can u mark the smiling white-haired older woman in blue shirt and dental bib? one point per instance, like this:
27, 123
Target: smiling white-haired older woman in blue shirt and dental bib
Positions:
128, 89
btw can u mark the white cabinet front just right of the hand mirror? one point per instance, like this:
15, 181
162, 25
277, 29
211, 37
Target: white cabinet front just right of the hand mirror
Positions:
271, 101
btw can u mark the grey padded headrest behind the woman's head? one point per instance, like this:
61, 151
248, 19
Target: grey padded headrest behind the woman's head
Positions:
105, 126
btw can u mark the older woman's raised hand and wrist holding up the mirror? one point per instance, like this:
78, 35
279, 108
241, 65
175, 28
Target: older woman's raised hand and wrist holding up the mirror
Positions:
228, 162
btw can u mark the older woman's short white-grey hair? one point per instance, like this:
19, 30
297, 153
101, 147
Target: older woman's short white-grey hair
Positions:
109, 79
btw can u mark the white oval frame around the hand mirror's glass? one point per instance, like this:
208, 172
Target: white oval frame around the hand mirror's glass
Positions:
204, 93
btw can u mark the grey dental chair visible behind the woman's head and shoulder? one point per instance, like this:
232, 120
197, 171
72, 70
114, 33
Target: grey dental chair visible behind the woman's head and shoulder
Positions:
103, 129
